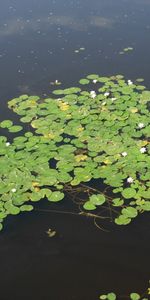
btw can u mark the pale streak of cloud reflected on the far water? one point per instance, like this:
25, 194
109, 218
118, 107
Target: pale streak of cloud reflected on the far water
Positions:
41, 25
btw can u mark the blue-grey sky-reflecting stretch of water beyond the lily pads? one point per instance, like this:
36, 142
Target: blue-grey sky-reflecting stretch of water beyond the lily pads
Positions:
38, 42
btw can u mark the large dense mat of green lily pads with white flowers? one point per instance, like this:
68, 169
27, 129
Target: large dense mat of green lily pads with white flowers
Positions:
98, 131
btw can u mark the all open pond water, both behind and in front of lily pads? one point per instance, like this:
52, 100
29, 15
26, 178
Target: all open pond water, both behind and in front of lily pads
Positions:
44, 41
